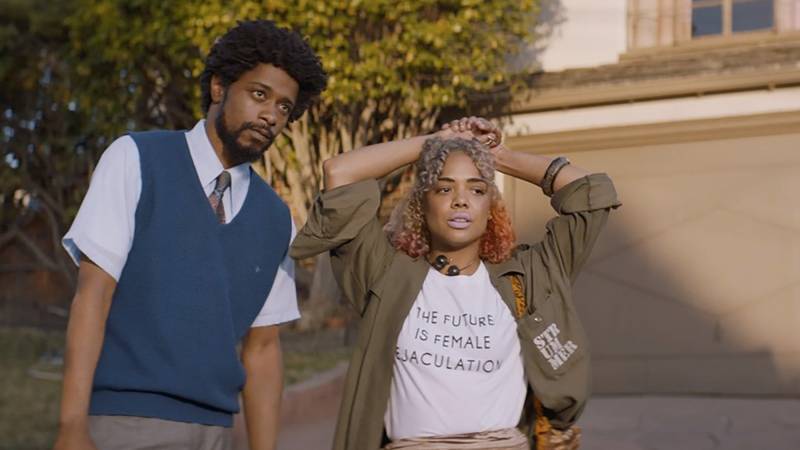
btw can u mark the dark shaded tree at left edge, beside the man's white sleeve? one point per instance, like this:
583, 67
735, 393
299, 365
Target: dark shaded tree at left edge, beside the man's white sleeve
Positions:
47, 158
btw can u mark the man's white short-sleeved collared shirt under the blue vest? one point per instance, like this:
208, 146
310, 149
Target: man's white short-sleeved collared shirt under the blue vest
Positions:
104, 227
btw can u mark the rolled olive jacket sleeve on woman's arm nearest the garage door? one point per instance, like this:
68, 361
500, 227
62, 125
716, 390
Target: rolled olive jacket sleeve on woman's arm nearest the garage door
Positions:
583, 207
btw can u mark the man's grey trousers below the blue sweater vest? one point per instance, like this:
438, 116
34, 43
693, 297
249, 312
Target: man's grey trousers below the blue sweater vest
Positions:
143, 433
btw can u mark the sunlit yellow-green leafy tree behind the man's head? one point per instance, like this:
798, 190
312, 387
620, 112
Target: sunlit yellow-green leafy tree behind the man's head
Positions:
394, 67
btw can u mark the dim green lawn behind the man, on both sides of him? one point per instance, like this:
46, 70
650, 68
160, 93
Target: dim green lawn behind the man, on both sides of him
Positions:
29, 406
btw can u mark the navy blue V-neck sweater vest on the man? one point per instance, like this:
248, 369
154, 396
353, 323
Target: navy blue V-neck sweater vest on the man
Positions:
190, 289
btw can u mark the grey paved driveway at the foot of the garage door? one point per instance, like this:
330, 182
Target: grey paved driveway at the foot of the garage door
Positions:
639, 423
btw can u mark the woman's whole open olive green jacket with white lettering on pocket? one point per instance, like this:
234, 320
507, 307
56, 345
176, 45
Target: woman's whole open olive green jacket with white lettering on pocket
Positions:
382, 284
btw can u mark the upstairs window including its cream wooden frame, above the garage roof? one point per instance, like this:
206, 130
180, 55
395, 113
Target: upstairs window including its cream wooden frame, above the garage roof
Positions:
660, 23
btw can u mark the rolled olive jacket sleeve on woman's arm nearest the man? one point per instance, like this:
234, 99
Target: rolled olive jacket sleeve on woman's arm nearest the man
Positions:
344, 222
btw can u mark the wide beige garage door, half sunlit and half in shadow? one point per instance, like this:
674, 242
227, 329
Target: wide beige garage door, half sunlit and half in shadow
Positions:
695, 285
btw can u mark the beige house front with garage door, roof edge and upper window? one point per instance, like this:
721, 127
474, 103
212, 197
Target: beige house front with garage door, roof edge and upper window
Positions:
693, 108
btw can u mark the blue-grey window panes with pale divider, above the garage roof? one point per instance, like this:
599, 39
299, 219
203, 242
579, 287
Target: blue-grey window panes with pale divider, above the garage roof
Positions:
715, 17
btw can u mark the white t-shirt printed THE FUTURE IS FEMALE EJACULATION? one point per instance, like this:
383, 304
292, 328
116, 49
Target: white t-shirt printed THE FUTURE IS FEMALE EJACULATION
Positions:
458, 367
